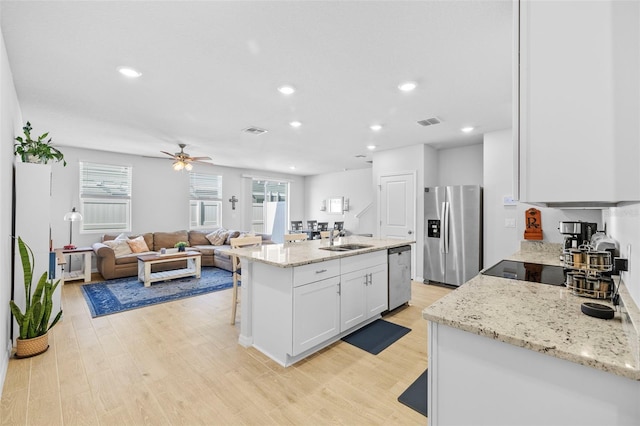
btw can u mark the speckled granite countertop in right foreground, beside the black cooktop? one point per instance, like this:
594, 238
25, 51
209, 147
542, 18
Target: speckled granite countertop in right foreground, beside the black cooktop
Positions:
544, 318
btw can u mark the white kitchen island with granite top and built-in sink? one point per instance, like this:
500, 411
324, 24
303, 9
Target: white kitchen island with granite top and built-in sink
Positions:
298, 298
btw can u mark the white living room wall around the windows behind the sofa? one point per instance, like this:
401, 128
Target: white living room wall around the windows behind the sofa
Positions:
160, 195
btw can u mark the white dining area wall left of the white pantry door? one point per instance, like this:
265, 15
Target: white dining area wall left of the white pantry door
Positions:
356, 185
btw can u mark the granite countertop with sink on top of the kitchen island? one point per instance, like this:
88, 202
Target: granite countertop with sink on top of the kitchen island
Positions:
306, 252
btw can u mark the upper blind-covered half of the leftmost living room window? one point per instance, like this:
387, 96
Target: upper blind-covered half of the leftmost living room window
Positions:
105, 181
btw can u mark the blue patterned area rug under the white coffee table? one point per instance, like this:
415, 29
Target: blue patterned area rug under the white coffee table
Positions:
123, 294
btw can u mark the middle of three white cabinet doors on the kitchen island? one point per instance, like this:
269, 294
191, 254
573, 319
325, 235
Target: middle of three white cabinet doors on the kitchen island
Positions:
353, 299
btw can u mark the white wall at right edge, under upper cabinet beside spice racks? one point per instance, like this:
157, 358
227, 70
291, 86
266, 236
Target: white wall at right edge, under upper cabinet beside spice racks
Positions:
623, 225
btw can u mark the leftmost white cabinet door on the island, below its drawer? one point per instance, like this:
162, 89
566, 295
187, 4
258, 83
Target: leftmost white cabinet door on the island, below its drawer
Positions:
316, 313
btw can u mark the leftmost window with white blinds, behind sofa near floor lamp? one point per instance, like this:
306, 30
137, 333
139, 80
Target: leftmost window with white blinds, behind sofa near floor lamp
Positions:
105, 197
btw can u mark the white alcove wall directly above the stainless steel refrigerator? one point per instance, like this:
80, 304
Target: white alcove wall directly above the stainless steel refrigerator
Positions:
460, 166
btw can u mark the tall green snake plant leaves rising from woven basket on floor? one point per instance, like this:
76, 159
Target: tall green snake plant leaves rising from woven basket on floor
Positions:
34, 321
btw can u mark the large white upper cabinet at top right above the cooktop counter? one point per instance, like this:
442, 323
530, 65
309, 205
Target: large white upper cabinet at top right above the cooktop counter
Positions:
579, 102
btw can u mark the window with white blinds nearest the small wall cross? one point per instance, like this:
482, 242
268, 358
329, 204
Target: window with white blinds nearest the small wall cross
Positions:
205, 201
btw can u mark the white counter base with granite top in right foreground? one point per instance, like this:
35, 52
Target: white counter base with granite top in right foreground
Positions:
507, 352
